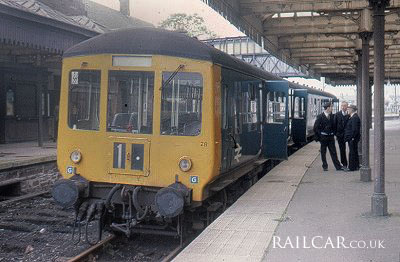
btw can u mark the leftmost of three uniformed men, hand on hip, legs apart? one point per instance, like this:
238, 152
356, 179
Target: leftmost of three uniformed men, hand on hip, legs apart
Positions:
324, 130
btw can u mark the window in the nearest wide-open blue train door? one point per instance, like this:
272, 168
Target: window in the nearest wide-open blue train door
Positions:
276, 107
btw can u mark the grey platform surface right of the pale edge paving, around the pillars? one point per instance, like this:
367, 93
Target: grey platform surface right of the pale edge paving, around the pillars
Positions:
334, 207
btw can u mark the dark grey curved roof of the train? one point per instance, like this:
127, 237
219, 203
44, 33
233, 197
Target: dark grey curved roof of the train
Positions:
150, 41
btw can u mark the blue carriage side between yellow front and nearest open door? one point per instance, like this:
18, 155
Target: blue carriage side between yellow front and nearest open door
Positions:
241, 130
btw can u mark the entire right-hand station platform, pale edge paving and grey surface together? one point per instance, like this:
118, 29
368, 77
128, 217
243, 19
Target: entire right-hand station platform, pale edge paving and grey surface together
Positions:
297, 212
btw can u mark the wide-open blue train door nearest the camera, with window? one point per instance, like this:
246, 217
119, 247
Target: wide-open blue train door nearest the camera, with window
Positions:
275, 123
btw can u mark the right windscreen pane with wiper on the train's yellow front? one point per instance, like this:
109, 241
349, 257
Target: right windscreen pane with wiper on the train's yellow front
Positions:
181, 104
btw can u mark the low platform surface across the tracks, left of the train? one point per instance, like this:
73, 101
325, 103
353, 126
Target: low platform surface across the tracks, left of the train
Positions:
23, 154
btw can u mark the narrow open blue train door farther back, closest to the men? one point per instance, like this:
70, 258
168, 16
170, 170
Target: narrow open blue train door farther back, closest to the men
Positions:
299, 116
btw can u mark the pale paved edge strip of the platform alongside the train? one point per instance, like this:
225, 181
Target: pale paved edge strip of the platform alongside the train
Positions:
244, 231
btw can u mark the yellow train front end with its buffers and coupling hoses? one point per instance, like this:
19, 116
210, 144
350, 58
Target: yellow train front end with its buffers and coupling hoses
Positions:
139, 135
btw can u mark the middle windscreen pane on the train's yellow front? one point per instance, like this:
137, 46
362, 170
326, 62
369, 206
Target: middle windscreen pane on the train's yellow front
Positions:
130, 102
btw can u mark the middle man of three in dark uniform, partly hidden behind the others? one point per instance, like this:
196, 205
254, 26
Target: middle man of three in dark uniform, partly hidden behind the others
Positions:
341, 119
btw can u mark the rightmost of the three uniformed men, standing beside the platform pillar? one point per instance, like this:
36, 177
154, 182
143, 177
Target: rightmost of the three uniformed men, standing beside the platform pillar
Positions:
352, 137
